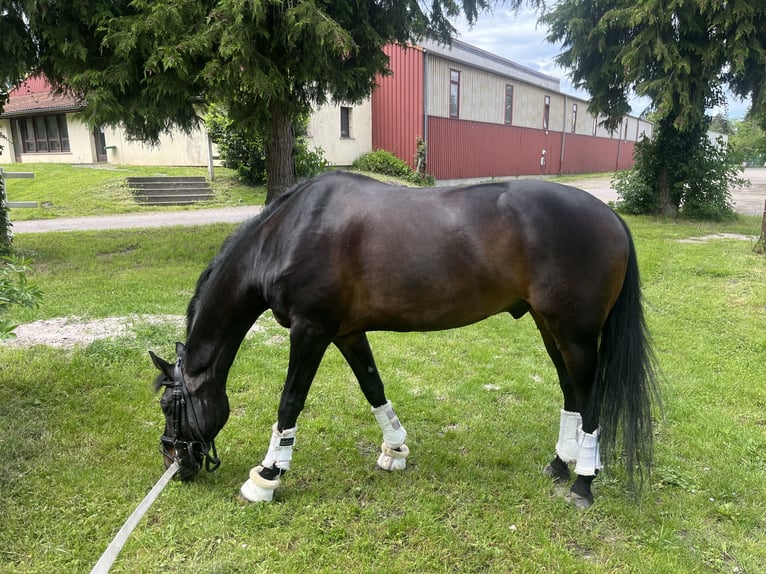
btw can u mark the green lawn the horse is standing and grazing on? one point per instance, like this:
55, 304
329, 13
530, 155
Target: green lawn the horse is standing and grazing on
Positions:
79, 432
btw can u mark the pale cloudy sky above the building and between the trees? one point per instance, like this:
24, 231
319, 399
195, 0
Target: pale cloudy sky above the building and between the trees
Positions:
516, 36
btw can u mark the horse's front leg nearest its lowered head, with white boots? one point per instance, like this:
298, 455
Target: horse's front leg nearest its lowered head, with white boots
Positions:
307, 347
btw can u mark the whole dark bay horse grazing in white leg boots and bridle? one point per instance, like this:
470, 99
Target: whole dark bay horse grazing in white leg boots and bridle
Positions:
343, 254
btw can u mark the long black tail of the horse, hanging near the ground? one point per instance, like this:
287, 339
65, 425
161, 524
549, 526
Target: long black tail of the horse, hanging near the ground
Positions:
626, 384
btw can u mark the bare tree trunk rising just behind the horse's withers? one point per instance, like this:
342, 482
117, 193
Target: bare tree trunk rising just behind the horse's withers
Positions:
280, 141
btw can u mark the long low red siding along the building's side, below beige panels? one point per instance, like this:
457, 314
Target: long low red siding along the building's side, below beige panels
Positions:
459, 149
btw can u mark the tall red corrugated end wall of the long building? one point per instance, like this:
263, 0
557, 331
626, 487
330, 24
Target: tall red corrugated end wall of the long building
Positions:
397, 104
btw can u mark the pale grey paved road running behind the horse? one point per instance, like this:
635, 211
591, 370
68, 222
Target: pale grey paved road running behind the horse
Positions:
747, 201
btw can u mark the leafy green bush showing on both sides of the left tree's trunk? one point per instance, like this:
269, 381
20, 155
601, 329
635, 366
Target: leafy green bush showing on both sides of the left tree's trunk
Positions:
246, 152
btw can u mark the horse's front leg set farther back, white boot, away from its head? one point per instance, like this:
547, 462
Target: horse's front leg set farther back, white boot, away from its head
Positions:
356, 350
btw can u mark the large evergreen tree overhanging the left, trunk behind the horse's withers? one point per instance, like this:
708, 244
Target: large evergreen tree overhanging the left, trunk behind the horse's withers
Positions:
151, 65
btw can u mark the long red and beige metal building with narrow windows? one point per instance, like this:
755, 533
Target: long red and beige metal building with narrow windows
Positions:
483, 116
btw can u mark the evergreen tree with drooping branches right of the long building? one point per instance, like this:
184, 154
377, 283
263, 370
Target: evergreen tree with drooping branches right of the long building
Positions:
679, 53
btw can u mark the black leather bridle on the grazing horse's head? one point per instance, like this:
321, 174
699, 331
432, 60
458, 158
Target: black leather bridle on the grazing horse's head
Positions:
196, 449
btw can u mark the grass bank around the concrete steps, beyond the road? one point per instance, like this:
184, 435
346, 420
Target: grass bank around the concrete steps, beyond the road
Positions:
73, 191
